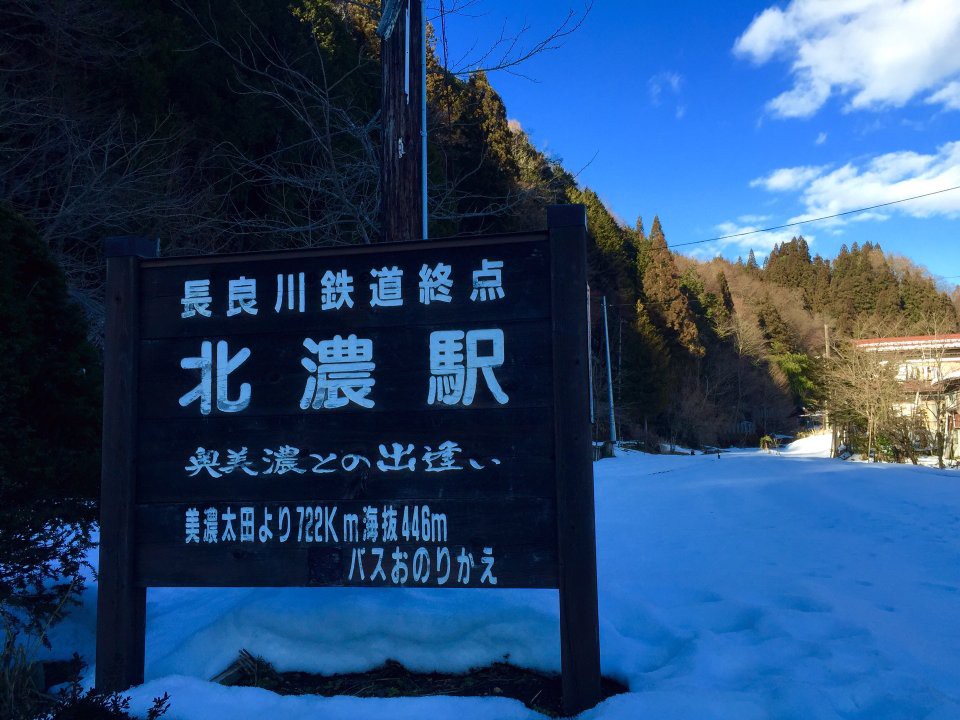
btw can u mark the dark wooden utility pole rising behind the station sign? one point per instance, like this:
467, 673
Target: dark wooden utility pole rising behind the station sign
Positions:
402, 172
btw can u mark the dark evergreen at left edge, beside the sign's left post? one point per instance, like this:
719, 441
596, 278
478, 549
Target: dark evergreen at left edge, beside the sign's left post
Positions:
49, 429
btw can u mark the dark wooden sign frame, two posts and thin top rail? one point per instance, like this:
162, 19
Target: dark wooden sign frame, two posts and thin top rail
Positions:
123, 574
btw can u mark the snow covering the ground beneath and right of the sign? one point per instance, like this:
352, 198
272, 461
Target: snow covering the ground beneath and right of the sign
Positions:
751, 586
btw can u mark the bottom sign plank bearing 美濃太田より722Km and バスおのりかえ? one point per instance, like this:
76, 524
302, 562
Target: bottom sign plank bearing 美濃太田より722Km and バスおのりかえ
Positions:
316, 544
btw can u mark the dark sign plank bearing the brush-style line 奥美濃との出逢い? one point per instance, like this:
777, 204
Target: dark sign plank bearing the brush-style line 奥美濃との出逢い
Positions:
511, 453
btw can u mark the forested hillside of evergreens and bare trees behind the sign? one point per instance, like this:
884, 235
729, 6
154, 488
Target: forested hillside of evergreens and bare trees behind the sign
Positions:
234, 125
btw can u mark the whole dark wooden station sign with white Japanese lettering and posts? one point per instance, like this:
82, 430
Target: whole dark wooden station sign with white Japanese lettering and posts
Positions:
396, 415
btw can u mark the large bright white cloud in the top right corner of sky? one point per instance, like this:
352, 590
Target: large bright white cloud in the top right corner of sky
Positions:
875, 53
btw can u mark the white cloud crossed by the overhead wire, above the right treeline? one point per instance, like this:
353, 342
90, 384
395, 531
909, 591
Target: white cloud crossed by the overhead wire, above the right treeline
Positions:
881, 179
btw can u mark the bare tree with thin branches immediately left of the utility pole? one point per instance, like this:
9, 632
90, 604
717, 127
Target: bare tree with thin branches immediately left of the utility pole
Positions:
324, 186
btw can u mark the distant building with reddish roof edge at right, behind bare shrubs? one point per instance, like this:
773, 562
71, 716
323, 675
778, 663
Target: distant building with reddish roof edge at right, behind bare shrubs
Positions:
929, 368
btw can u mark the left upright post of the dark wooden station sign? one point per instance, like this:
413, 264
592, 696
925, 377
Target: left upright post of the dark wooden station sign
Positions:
121, 603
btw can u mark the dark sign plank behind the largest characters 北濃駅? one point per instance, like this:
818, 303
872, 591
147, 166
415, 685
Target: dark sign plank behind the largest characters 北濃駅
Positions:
401, 374
